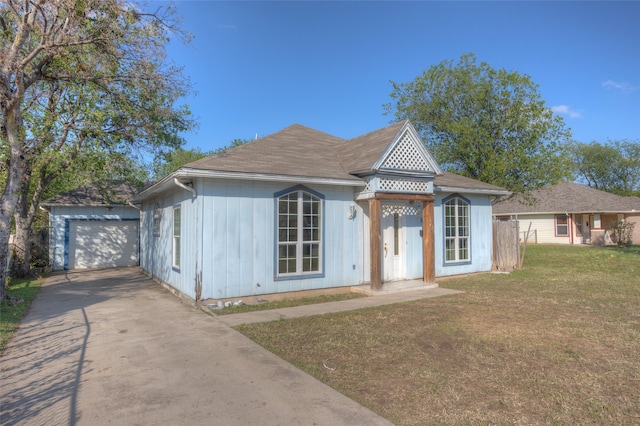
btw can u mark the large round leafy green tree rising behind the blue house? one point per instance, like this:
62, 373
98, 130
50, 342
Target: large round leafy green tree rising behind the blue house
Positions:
485, 123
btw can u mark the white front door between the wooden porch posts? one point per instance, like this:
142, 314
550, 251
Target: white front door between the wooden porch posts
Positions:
393, 246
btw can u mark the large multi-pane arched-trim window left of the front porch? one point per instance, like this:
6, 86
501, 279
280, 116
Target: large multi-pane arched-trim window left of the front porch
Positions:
299, 245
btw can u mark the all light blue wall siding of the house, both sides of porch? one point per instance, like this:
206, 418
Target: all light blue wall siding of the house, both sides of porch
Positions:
228, 234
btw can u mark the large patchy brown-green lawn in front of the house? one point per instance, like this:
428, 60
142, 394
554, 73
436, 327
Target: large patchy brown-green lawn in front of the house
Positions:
557, 342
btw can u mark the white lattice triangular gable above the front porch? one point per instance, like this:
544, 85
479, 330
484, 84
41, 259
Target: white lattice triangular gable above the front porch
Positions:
407, 153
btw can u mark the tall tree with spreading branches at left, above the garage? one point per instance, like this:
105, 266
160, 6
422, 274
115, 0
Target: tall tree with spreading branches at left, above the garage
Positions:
78, 77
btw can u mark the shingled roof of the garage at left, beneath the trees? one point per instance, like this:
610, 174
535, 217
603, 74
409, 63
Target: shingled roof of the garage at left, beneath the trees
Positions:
95, 195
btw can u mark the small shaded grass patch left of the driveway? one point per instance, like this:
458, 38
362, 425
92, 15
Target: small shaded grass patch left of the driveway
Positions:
10, 316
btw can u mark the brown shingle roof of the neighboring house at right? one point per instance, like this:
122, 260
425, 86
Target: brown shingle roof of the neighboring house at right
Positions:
567, 197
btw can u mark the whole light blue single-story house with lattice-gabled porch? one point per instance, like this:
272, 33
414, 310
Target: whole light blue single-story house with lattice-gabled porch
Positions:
302, 210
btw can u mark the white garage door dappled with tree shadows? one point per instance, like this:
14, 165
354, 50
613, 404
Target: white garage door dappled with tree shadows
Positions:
103, 244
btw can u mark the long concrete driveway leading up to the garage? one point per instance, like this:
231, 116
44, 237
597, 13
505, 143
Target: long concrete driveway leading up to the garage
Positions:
112, 347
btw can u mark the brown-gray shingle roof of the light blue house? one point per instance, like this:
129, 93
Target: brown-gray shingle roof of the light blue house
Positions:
301, 152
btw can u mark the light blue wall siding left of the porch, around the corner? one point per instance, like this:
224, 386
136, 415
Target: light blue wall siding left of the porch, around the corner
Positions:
236, 239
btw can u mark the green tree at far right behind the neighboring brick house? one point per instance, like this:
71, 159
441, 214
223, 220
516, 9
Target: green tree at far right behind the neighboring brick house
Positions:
612, 167
